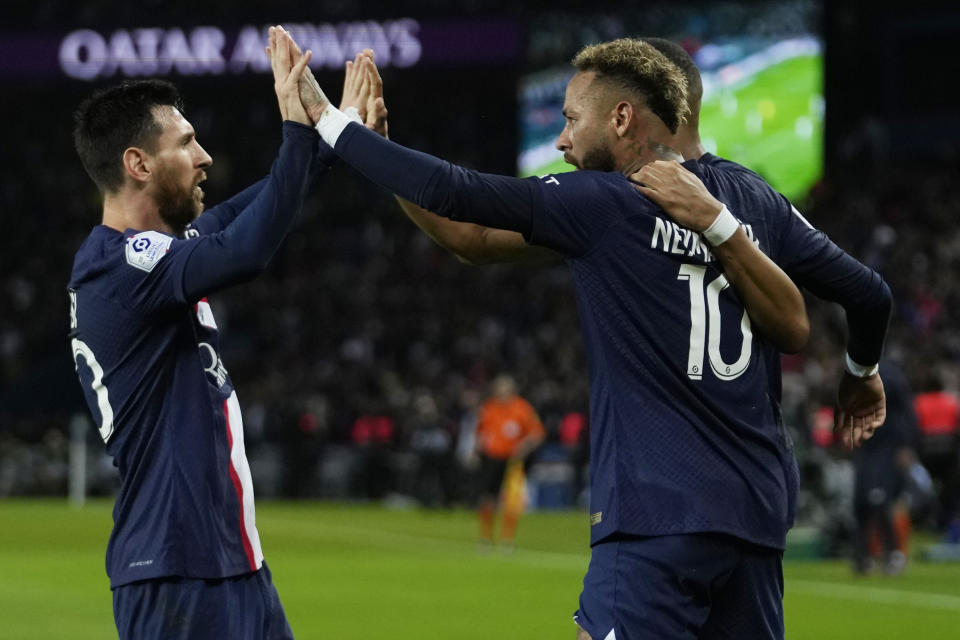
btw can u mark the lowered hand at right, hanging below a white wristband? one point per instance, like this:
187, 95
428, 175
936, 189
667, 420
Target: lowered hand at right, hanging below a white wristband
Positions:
861, 409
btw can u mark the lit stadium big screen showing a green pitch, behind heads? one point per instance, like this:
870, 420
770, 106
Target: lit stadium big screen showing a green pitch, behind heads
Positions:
762, 69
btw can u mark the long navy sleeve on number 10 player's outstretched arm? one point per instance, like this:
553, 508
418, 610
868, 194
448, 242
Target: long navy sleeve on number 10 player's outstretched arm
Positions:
548, 211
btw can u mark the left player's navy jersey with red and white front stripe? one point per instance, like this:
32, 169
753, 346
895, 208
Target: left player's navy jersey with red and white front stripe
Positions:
146, 347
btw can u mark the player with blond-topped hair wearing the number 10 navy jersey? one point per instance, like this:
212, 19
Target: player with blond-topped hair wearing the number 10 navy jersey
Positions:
693, 480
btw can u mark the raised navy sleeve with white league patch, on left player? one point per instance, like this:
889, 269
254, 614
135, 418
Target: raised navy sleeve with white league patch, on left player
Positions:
160, 271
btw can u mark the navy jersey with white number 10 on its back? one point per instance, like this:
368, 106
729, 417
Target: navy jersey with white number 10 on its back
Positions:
686, 433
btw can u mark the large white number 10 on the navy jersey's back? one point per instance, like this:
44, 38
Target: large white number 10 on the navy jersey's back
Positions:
700, 339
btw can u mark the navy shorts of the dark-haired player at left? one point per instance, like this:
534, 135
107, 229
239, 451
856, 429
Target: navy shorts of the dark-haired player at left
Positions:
244, 607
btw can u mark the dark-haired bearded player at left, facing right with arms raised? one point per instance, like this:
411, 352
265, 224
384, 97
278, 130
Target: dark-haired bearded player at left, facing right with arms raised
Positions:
184, 558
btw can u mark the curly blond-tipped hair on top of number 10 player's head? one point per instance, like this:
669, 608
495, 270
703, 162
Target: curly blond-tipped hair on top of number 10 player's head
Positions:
638, 67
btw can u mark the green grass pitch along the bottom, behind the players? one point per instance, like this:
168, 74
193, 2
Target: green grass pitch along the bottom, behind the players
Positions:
366, 572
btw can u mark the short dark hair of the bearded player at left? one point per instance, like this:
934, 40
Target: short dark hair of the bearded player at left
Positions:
116, 118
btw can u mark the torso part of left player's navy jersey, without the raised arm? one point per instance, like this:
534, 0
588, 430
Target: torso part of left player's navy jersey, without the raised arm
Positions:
163, 402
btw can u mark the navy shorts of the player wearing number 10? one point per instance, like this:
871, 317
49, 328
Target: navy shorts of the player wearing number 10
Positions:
697, 586
